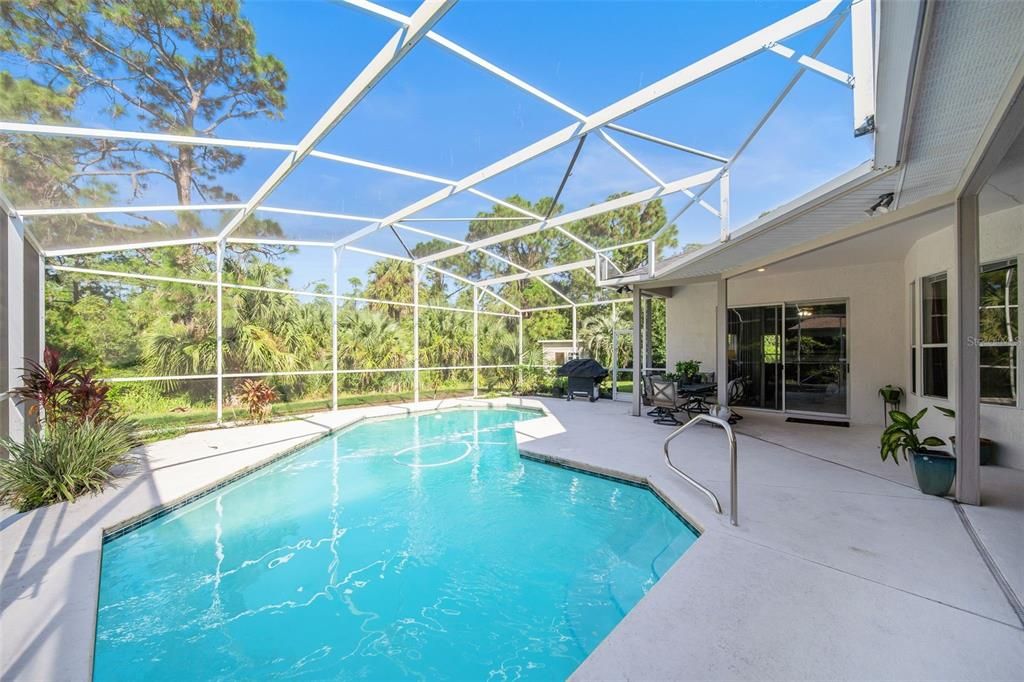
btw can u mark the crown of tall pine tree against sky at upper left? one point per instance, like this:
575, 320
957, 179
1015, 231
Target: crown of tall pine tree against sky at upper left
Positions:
184, 67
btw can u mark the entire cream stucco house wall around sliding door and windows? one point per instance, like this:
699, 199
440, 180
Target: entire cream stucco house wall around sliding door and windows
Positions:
880, 324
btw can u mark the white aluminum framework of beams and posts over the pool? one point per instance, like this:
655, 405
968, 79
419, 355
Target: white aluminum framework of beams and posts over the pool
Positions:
411, 30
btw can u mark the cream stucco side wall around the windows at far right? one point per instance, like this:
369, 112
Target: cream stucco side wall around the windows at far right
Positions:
1002, 237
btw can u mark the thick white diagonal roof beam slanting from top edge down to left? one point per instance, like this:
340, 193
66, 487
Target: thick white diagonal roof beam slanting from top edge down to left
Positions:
397, 49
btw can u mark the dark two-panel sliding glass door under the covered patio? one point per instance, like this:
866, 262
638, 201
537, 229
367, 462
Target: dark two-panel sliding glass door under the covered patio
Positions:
791, 357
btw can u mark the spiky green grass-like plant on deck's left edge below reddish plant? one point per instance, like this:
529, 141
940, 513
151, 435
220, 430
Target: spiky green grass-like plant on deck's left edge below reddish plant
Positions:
70, 460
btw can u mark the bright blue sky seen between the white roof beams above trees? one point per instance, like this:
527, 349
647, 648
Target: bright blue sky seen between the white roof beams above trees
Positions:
440, 115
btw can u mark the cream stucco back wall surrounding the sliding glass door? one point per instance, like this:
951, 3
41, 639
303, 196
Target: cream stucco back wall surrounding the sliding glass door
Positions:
875, 319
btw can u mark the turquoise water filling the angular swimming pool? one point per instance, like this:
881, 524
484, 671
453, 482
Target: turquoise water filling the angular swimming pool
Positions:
420, 547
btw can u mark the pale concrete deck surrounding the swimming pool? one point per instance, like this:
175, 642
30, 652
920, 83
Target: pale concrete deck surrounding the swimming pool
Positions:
839, 568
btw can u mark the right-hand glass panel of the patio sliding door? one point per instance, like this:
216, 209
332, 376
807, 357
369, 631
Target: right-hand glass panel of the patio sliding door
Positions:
817, 369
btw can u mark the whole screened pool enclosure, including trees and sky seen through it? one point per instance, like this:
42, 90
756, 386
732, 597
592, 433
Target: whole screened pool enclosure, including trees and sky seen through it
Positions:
180, 259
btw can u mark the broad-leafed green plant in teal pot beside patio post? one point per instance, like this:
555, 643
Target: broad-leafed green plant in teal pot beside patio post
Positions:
934, 470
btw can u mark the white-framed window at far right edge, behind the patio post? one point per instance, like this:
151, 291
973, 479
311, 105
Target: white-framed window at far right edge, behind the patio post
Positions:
999, 332
